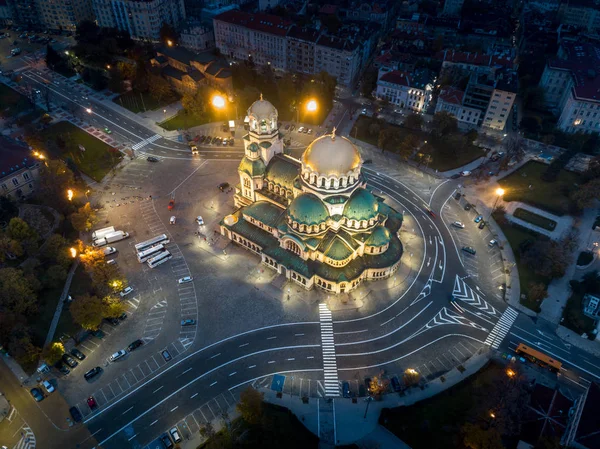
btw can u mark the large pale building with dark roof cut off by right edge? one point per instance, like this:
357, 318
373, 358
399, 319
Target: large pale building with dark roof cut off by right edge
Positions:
571, 83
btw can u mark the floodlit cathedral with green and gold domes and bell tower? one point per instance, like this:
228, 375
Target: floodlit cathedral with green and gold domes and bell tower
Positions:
312, 220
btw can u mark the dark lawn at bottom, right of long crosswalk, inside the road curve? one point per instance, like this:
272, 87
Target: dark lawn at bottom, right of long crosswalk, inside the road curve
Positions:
436, 422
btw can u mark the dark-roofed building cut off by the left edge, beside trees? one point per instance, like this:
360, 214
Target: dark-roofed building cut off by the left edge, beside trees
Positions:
19, 171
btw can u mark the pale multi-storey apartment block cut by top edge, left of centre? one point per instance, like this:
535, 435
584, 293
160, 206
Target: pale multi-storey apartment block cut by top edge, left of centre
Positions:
142, 19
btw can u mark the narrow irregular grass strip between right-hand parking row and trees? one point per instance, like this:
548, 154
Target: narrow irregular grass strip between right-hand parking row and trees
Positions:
515, 237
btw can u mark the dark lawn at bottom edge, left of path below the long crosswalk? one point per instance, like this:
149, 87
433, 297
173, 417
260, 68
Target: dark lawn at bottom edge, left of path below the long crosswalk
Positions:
279, 428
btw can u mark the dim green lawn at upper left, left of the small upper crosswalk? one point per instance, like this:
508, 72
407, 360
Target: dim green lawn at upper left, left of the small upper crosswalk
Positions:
97, 159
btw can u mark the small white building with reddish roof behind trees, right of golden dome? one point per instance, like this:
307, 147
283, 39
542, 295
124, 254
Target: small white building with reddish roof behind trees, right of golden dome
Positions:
407, 90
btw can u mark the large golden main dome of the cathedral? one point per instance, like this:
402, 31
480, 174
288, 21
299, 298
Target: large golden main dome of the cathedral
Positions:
331, 155
